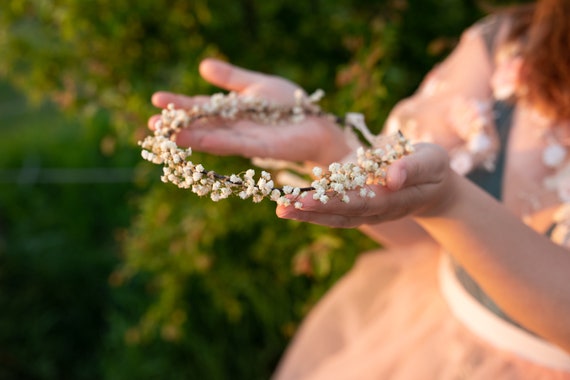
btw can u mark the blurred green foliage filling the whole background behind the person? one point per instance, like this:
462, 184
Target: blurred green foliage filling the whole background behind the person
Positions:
140, 279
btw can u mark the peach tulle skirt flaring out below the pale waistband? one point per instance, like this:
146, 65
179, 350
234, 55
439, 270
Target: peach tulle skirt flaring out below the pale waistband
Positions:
388, 319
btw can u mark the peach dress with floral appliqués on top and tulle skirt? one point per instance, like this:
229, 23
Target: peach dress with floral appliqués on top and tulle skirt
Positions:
401, 313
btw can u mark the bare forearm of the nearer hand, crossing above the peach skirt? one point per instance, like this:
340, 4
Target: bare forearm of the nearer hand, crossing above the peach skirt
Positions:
524, 272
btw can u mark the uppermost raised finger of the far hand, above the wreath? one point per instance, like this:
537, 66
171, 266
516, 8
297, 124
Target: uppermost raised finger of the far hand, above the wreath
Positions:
228, 76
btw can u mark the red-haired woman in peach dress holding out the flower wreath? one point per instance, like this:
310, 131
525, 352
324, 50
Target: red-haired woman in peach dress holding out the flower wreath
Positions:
472, 281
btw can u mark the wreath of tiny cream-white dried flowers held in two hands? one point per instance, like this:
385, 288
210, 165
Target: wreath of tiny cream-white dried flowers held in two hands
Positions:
369, 168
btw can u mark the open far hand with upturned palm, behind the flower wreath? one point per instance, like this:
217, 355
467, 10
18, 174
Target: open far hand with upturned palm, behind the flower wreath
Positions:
314, 139
